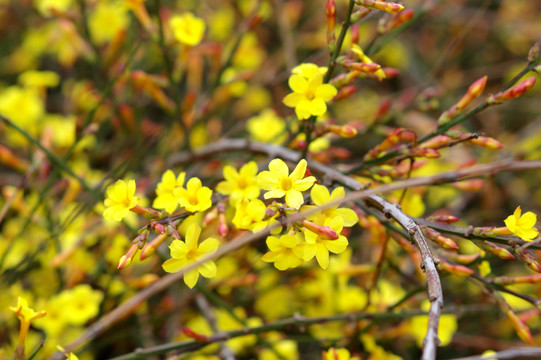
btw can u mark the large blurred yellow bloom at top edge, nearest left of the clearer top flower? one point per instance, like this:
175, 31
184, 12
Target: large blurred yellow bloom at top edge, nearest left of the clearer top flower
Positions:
107, 19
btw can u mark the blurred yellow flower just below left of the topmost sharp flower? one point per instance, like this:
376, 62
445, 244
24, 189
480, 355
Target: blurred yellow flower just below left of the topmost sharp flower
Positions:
267, 127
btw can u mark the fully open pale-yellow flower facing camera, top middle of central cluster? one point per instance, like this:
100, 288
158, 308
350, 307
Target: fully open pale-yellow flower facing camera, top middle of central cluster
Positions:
279, 183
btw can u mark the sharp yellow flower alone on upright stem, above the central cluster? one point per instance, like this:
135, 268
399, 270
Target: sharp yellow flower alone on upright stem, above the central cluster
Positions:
309, 94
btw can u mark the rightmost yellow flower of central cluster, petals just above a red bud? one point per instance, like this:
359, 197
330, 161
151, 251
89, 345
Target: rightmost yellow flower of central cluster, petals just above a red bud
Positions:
320, 196
